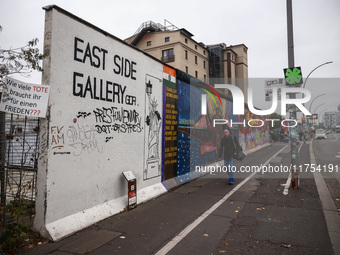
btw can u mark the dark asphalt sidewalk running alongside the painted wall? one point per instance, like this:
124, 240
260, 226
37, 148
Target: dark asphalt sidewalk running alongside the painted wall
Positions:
255, 218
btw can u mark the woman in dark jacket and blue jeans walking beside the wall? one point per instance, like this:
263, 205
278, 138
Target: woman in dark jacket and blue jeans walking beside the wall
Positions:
230, 147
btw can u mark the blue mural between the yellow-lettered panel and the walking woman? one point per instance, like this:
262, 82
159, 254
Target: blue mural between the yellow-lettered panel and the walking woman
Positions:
198, 140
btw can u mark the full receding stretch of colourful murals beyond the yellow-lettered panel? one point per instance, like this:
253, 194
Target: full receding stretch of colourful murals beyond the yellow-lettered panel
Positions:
198, 141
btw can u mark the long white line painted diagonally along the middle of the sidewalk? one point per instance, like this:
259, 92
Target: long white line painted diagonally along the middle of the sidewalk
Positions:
171, 244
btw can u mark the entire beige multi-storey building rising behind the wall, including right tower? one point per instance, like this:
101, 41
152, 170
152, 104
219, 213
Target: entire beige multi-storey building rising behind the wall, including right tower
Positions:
212, 64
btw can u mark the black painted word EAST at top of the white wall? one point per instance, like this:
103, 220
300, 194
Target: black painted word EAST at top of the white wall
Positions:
93, 54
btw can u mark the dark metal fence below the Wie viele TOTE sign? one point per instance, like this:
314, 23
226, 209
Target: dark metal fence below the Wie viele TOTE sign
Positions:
19, 139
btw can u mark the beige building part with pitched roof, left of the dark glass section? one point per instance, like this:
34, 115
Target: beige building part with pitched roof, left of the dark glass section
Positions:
173, 46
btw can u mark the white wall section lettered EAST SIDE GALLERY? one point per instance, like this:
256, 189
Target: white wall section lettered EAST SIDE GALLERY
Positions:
101, 122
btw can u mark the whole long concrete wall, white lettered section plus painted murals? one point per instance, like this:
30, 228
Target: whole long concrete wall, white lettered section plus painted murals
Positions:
103, 120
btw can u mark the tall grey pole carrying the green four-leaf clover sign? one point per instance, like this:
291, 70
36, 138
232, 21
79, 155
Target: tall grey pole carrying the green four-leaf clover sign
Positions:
293, 140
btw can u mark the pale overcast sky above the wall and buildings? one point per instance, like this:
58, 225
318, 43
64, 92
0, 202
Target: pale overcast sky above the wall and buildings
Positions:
261, 25
